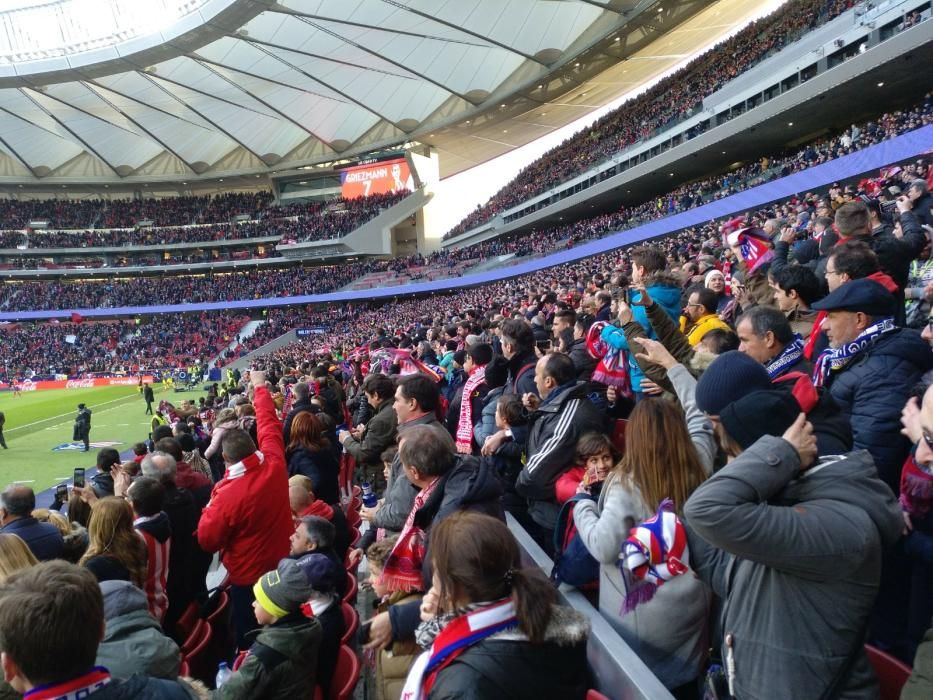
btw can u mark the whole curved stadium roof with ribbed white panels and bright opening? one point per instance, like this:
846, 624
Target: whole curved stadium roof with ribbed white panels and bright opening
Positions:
211, 88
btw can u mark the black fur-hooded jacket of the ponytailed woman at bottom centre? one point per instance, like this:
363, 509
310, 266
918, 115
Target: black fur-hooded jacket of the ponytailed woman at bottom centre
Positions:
499, 669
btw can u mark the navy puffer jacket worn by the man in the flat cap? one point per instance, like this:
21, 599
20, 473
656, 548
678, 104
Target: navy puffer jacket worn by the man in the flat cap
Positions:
873, 389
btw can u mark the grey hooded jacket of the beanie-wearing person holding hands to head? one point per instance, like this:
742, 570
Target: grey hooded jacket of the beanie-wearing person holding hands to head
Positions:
797, 560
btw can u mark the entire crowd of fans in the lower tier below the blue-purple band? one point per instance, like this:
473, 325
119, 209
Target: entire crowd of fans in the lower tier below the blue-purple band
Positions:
722, 418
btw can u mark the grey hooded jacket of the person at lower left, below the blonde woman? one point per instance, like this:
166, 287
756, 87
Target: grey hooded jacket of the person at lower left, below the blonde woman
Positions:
133, 641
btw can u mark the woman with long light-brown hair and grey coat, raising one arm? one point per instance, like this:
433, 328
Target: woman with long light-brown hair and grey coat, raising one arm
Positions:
669, 452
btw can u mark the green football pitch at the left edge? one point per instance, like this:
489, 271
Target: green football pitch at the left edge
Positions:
39, 422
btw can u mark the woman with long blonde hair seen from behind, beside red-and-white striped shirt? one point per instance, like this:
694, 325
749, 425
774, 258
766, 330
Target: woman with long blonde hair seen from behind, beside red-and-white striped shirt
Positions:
116, 550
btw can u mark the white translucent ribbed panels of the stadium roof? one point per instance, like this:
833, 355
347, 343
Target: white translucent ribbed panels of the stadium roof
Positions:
322, 75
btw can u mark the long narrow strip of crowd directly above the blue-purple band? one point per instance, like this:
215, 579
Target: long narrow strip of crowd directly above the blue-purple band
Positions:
313, 280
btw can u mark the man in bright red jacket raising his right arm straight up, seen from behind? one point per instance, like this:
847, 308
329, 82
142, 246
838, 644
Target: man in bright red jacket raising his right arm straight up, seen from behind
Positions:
248, 519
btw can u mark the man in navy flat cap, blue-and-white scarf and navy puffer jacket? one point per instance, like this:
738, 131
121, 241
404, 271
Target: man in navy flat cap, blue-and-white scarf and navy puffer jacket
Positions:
870, 368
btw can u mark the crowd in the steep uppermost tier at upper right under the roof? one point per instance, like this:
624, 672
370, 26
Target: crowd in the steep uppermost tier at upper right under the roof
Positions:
674, 99
